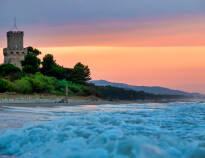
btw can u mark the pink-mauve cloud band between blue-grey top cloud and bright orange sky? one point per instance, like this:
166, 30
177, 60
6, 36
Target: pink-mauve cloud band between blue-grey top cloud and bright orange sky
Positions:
181, 31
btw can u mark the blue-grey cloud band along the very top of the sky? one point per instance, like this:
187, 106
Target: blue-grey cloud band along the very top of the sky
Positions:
56, 12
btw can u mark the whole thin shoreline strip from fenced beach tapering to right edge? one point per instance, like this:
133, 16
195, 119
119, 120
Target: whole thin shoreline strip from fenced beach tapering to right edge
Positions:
54, 100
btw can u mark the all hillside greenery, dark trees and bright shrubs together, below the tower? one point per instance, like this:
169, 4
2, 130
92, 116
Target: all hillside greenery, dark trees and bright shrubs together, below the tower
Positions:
45, 76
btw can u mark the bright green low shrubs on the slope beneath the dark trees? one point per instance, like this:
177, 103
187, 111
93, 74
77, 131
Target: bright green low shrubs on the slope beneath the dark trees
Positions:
38, 83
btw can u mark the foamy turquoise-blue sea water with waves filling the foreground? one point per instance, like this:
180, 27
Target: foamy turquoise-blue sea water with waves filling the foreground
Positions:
171, 130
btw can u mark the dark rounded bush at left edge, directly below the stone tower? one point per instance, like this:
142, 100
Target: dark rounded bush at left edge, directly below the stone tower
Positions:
10, 72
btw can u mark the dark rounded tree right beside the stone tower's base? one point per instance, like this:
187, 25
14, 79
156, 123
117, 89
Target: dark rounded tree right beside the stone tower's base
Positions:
30, 63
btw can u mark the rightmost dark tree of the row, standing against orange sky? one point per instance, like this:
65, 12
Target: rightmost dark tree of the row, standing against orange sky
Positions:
80, 74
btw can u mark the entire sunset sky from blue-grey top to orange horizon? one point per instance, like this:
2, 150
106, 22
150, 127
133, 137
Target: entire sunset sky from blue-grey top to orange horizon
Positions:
159, 43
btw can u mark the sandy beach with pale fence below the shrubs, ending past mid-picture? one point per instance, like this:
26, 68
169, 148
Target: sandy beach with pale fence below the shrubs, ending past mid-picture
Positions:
52, 100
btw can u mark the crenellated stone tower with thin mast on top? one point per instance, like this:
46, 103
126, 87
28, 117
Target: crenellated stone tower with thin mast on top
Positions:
15, 52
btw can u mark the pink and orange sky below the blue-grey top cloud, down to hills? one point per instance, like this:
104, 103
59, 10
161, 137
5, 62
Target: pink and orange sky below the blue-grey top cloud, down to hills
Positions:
153, 52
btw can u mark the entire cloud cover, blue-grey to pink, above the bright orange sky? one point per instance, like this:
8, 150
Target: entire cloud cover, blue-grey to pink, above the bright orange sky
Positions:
106, 22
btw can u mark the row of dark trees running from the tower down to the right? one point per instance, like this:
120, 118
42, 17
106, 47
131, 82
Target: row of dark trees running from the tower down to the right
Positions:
78, 74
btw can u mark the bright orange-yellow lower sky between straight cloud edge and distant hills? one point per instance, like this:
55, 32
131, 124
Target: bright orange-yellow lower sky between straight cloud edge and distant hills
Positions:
174, 67
